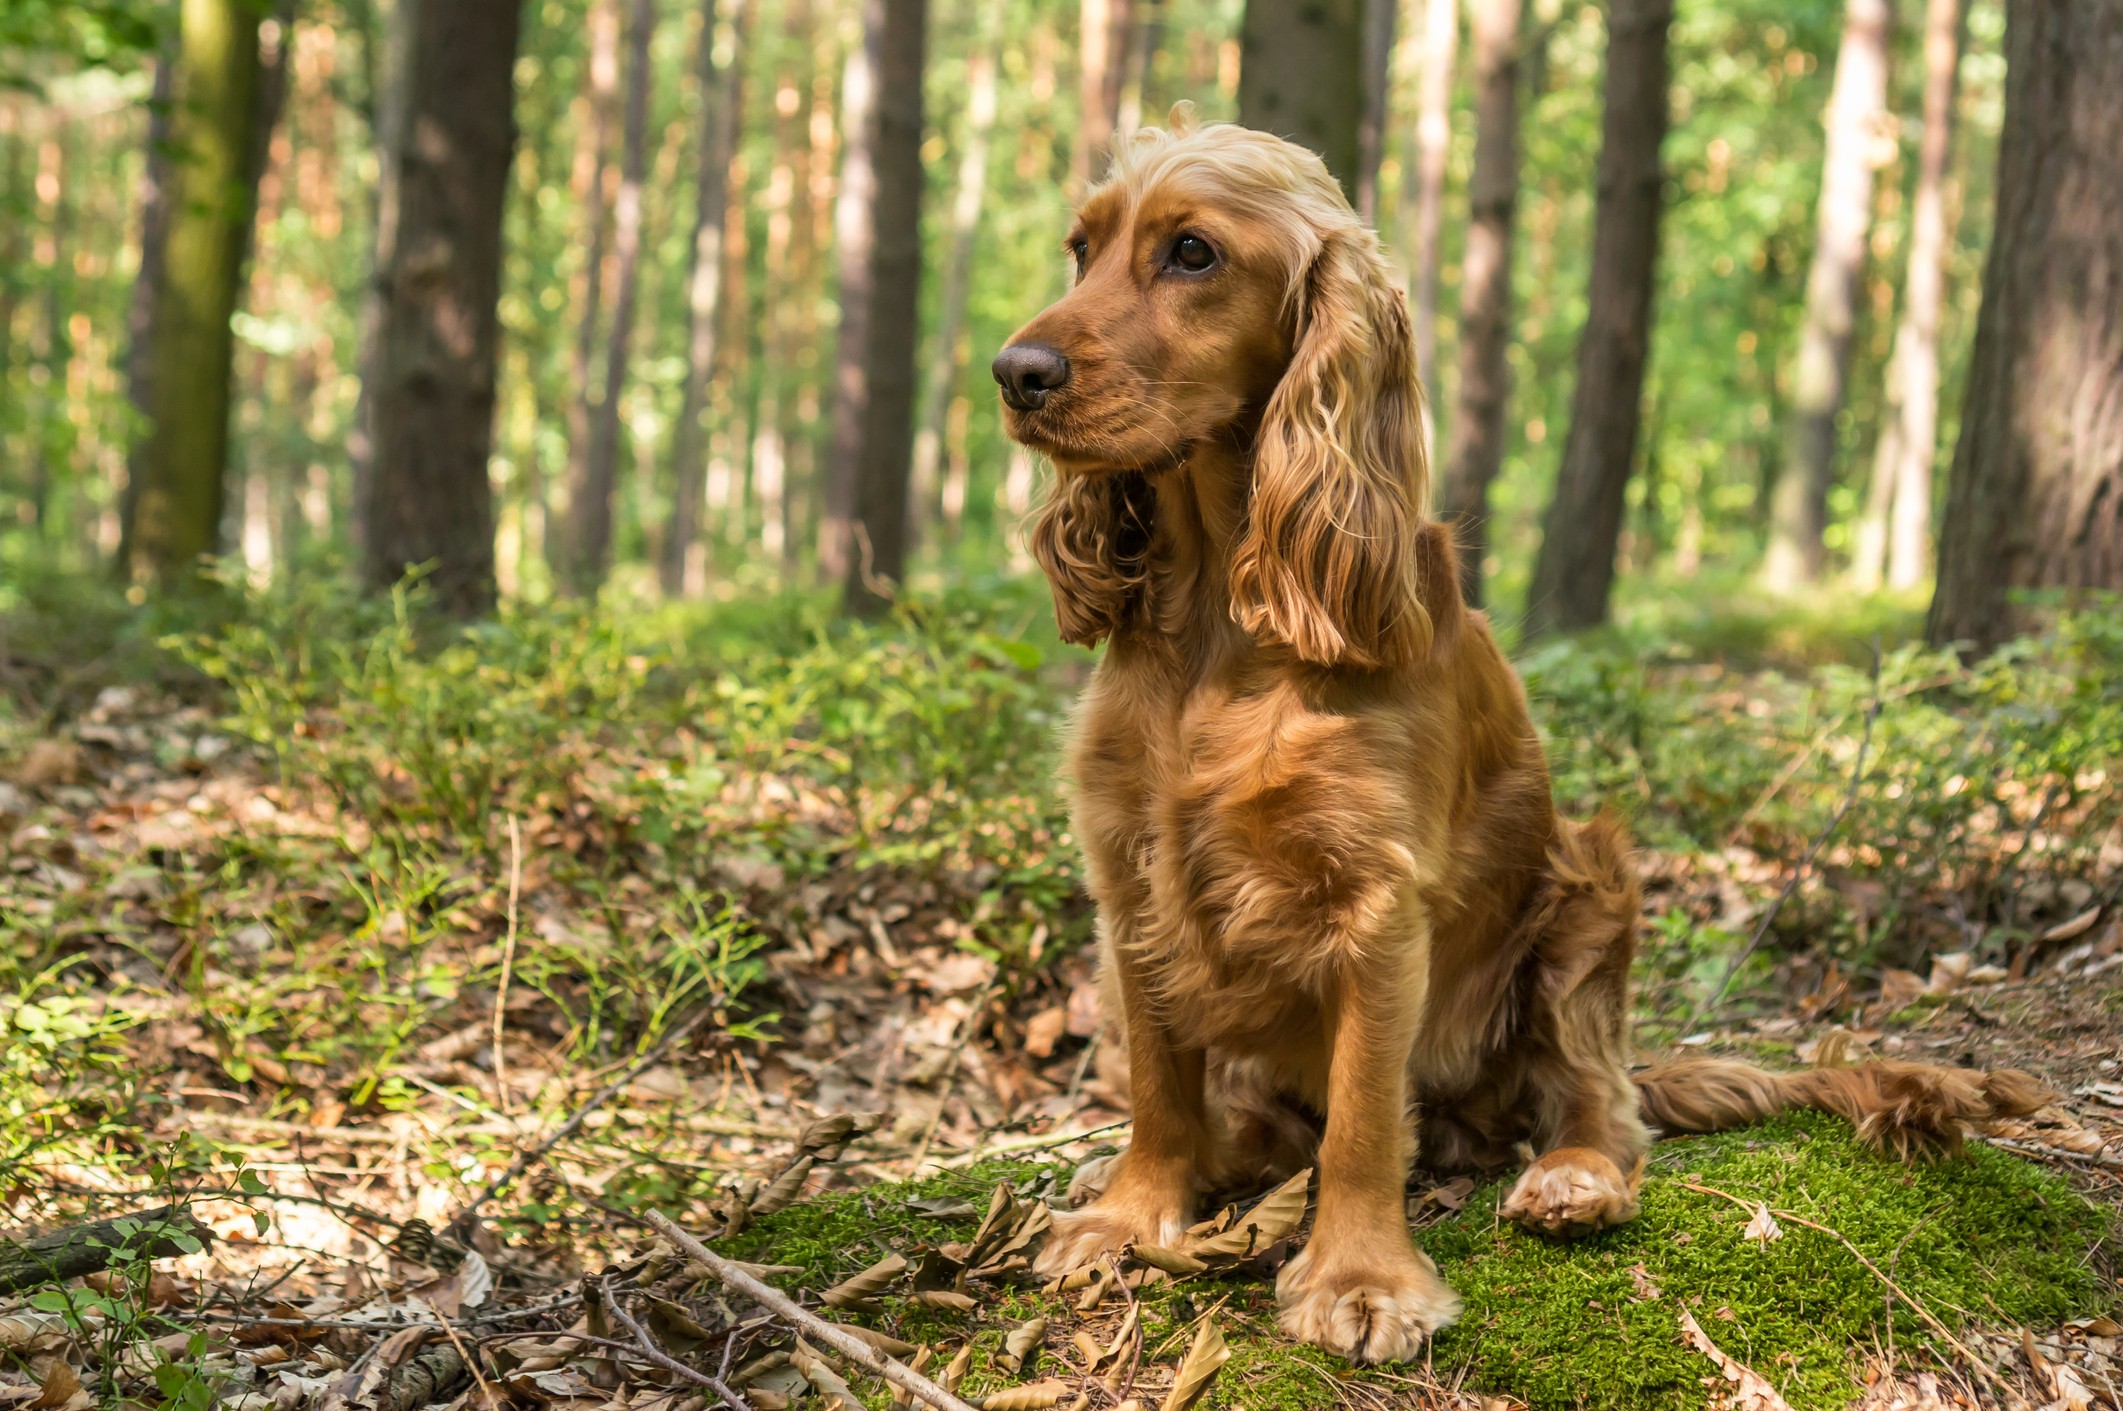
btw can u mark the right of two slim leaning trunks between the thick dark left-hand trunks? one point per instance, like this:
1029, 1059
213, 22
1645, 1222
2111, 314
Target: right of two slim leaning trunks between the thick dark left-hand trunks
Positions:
723, 109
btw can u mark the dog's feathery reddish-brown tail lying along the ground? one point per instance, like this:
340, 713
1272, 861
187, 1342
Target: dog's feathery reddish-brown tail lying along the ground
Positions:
1910, 1109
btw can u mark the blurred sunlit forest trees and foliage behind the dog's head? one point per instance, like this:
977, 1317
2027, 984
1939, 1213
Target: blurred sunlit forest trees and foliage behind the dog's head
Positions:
697, 298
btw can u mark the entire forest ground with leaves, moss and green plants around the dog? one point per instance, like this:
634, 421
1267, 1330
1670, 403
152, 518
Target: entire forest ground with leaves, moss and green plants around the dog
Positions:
324, 918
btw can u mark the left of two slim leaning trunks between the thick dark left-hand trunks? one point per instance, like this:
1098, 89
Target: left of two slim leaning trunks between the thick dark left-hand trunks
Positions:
602, 468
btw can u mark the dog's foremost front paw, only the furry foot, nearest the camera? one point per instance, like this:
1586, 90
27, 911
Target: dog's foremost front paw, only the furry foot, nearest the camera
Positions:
1366, 1308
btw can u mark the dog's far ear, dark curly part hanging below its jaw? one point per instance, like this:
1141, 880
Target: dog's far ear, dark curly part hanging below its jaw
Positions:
1092, 540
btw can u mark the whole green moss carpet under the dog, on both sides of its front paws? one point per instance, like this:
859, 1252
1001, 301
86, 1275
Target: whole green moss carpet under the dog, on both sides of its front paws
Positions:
1595, 1323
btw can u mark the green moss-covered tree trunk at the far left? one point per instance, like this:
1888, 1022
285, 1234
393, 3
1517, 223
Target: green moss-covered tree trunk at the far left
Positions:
182, 491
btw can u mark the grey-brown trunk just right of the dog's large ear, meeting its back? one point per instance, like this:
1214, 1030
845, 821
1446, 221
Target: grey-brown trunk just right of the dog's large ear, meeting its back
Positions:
1485, 326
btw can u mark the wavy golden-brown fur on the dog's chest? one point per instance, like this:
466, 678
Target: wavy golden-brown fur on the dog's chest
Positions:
1243, 848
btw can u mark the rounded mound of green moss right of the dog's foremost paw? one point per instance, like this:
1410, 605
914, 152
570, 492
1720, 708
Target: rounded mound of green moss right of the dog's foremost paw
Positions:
1578, 1325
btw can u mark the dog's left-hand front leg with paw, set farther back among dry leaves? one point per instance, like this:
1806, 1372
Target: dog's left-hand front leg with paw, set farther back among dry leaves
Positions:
1152, 1187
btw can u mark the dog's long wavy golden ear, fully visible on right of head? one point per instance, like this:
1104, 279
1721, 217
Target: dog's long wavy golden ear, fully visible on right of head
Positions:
1328, 561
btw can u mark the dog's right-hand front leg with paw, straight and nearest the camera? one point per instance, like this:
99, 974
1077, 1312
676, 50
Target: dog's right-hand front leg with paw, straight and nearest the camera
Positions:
1362, 1287
